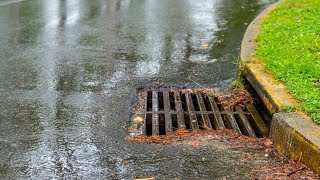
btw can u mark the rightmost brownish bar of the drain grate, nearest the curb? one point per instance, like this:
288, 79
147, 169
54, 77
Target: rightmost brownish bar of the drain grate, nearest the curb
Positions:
263, 130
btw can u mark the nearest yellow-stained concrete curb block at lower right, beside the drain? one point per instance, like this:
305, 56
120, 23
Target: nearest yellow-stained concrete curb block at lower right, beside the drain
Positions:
297, 137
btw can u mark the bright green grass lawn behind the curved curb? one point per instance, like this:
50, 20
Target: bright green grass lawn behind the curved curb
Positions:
289, 44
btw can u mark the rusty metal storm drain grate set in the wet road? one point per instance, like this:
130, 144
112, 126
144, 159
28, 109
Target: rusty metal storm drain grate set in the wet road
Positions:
165, 110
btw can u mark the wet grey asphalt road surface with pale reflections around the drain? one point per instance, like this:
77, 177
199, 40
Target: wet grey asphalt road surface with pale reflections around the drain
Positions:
68, 72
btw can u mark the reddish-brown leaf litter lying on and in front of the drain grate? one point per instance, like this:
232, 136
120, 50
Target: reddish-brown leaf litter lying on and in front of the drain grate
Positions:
278, 166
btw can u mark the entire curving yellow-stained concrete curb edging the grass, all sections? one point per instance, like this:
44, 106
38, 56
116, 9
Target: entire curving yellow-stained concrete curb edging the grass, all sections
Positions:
294, 134
